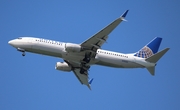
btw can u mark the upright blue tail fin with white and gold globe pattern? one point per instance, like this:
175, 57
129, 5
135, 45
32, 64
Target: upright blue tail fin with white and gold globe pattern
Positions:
150, 49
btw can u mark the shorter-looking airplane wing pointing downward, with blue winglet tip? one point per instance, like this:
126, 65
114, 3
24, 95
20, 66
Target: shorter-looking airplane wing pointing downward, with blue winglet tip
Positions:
83, 78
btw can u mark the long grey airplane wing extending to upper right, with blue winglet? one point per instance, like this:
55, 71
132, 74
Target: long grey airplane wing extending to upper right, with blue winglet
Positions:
96, 41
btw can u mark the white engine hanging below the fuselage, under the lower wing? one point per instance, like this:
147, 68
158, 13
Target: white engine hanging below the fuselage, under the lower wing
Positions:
63, 66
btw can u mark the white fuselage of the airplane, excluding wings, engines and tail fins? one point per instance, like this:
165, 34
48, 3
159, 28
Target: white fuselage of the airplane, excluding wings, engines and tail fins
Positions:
58, 49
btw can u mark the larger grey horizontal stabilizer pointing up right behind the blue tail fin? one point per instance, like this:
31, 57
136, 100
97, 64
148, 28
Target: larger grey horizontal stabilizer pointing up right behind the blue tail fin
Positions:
157, 56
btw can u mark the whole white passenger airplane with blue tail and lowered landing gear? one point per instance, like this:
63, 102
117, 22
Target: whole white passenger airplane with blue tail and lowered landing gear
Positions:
79, 57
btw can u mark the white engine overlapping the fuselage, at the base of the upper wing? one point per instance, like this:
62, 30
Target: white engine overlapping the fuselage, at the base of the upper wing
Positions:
70, 47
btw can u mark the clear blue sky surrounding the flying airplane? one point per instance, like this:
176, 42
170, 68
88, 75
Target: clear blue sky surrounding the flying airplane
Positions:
31, 82
